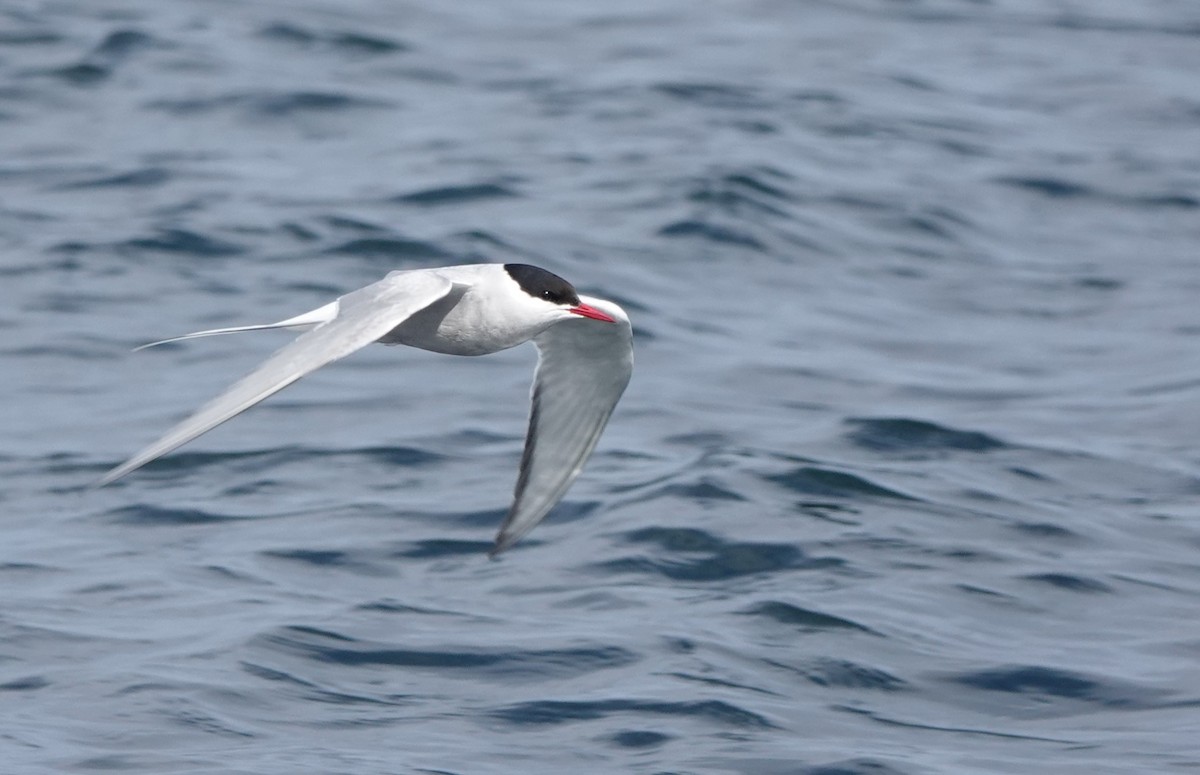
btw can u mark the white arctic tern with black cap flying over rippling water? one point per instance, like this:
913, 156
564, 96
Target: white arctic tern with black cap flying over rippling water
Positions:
585, 361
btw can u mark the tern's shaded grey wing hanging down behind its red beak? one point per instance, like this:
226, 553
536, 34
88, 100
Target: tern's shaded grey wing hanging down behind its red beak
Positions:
584, 367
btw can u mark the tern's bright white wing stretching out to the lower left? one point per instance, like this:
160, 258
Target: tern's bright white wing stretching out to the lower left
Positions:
363, 317
